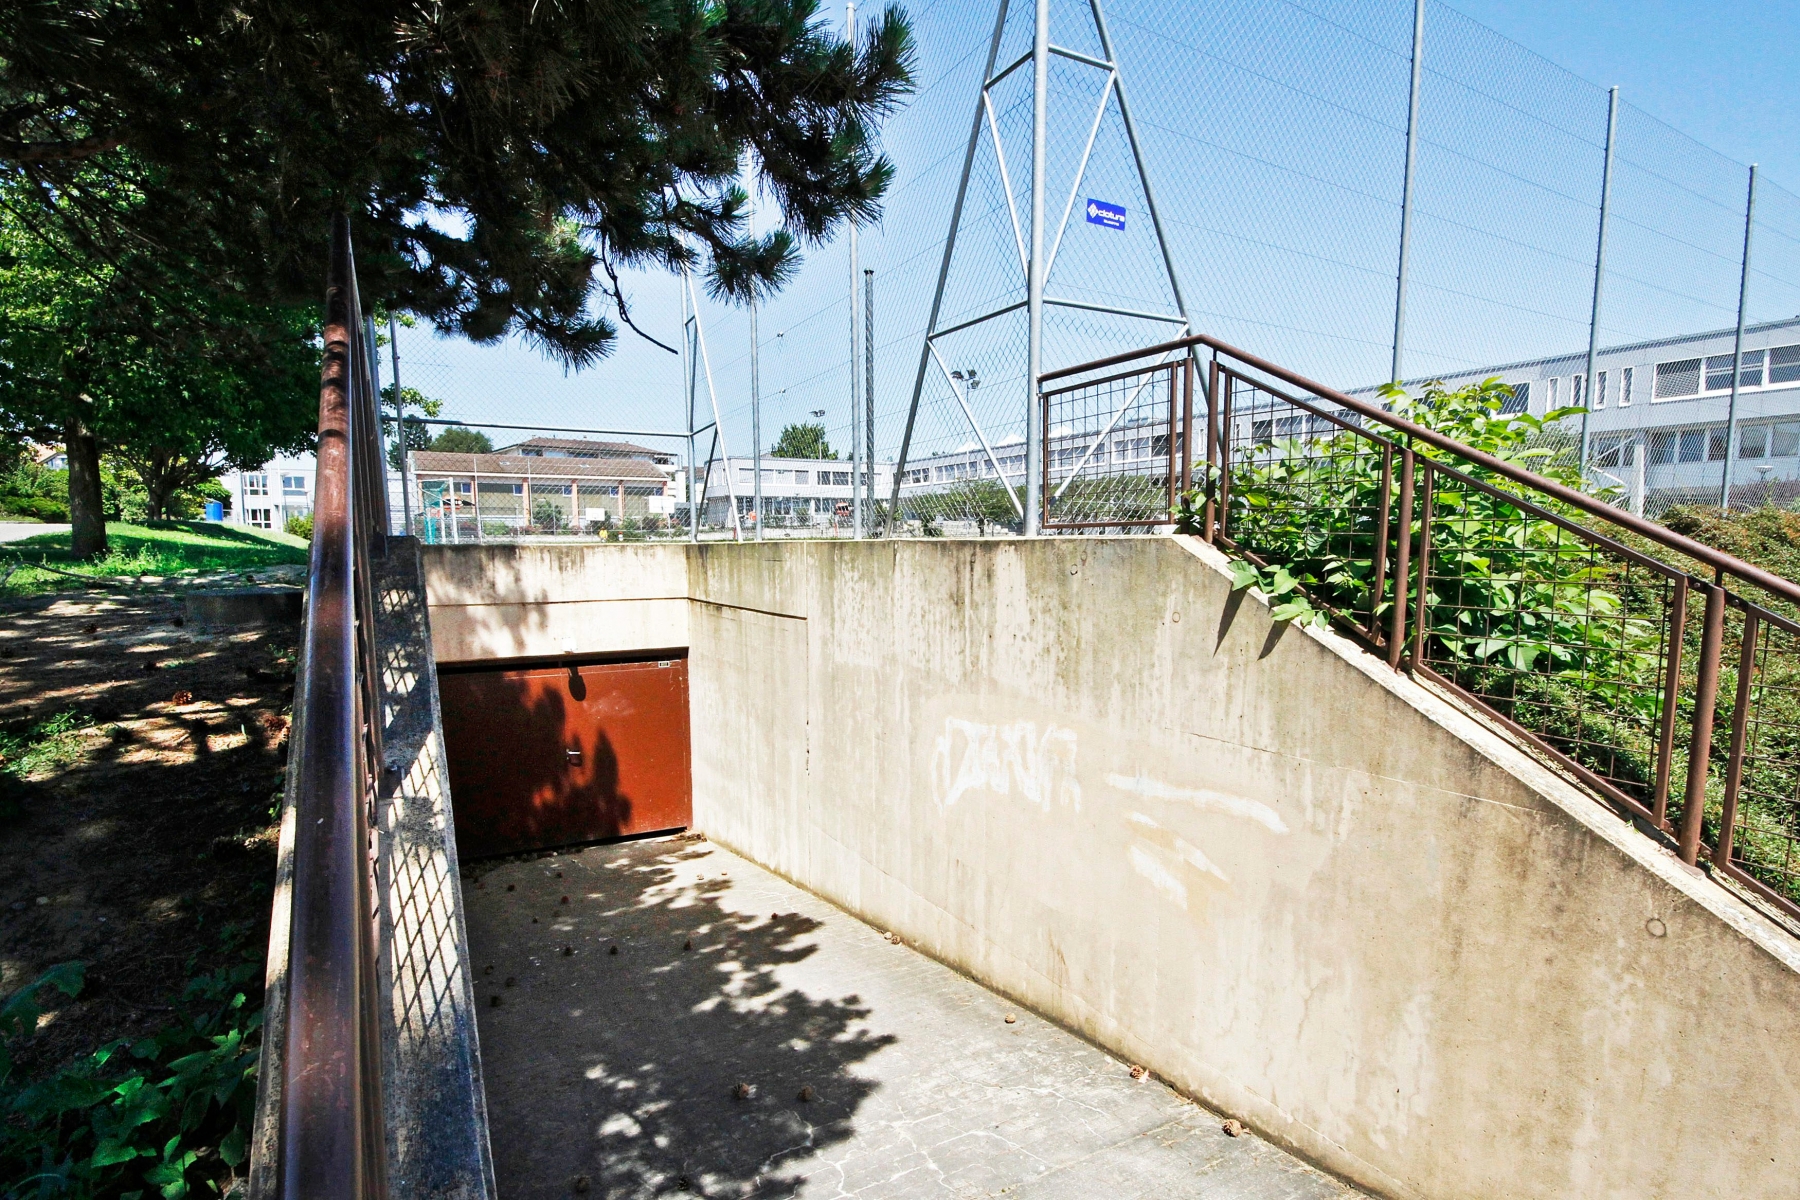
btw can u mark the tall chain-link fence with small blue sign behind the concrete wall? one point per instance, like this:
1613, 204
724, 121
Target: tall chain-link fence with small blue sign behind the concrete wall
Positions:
1273, 138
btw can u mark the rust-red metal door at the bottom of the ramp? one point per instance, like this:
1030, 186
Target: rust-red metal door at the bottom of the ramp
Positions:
559, 755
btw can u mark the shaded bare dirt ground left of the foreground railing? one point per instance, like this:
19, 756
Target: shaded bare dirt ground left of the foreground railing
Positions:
150, 850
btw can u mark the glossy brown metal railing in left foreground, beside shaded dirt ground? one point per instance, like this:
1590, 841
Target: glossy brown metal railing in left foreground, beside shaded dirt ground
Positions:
332, 1142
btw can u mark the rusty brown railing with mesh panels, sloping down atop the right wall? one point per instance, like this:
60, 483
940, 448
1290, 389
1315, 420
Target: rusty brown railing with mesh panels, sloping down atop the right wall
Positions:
1660, 672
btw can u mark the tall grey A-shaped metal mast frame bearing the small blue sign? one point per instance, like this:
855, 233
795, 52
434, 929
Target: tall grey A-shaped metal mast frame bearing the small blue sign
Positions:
1034, 262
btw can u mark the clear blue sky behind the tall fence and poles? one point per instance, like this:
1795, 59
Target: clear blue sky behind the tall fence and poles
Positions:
1275, 136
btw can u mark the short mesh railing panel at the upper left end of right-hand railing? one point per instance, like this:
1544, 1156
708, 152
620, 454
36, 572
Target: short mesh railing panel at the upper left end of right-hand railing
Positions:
1113, 451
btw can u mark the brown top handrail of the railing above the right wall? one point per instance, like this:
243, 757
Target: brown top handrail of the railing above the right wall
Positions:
1648, 530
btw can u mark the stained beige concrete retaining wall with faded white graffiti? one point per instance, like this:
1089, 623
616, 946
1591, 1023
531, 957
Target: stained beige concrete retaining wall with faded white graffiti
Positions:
1291, 882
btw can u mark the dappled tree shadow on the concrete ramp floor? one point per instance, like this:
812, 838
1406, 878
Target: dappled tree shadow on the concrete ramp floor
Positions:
625, 1066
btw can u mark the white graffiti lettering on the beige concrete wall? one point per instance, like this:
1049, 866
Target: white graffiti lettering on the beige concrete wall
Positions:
1002, 758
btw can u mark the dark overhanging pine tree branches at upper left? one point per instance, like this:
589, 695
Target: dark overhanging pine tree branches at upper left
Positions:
501, 159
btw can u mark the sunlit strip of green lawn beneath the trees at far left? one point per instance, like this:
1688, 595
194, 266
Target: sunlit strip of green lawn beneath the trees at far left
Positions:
150, 550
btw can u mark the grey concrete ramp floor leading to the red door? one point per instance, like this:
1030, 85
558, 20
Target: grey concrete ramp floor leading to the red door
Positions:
616, 1070
